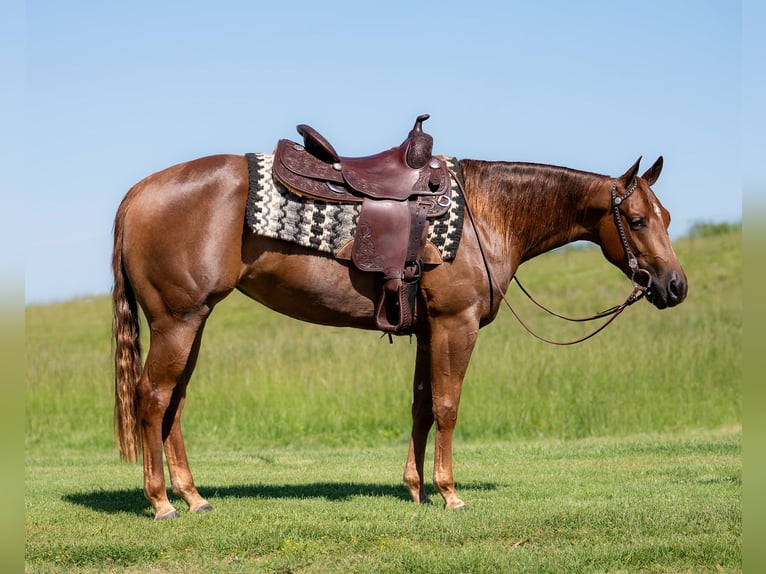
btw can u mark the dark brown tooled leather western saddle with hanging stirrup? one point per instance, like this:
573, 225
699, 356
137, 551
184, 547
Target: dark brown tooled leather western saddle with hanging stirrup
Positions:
400, 190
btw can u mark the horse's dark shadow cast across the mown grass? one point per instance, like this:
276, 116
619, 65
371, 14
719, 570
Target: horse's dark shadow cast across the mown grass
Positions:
132, 501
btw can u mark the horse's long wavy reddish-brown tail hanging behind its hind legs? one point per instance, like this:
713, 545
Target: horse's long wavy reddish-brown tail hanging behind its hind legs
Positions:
127, 351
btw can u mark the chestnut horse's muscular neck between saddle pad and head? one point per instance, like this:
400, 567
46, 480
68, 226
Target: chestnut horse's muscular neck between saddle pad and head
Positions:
535, 208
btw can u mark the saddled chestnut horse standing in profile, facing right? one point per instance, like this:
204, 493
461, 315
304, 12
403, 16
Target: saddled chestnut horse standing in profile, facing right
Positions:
180, 247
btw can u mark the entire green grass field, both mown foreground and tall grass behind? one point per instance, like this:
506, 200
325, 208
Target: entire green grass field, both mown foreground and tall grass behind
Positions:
620, 454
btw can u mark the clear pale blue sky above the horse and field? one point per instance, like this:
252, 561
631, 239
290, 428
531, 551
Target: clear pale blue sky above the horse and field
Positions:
115, 91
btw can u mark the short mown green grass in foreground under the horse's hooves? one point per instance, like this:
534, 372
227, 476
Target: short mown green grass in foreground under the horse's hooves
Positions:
657, 503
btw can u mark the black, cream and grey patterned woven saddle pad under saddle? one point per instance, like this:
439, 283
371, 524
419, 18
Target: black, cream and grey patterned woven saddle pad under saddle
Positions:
274, 211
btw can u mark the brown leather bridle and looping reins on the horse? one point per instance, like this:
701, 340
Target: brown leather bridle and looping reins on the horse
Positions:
638, 276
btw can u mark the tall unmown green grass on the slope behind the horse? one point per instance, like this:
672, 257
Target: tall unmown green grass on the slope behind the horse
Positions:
264, 379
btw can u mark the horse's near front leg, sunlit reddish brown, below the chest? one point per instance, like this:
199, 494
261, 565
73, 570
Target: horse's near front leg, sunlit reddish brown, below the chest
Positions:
452, 342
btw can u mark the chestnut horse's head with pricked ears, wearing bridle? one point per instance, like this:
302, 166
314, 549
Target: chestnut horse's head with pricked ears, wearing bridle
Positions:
633, 234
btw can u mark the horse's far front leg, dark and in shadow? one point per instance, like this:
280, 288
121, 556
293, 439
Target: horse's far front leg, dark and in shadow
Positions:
422, 421
